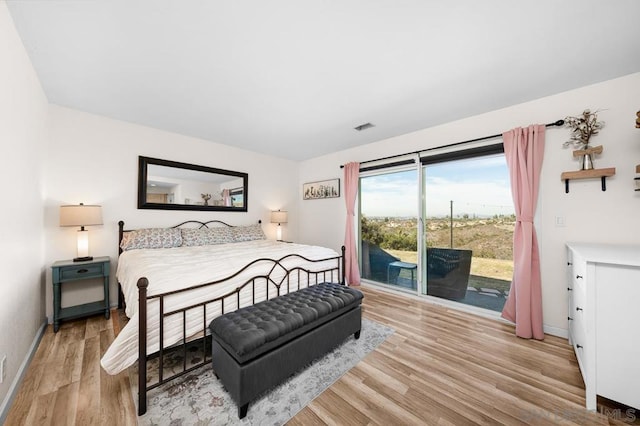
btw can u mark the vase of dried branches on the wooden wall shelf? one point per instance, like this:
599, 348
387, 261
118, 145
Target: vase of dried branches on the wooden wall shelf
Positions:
582, 128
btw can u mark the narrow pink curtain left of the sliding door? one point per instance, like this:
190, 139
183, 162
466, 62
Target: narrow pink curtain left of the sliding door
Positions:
351, 177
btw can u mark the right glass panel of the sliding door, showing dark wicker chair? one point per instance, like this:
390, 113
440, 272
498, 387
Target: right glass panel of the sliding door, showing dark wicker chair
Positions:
469, 220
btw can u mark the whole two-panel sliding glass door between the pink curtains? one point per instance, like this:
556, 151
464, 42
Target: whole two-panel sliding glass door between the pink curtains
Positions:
442, 229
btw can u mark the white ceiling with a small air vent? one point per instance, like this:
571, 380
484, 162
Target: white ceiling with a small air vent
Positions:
292, 78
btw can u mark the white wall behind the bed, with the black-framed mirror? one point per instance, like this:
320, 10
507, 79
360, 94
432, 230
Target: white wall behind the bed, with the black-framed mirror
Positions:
94, 160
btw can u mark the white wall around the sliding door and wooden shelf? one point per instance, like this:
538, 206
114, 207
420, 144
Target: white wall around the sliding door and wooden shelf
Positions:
590, 214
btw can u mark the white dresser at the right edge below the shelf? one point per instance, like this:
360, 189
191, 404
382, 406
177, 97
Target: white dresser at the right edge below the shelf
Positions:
604, 319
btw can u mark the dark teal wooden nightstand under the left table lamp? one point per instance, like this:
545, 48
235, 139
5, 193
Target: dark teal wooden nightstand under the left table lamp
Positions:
67, 270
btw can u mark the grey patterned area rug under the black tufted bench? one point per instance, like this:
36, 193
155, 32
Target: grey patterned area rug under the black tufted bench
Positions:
199, 399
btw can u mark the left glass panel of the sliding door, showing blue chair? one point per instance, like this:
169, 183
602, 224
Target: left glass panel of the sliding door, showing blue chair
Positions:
388, 227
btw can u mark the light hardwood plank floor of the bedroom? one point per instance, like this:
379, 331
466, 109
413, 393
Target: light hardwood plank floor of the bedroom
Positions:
440, 367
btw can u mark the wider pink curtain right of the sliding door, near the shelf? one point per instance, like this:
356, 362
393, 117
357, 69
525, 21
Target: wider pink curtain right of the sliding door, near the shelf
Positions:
524, 149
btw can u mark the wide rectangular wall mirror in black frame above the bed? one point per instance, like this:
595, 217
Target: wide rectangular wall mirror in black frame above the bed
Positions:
169, 185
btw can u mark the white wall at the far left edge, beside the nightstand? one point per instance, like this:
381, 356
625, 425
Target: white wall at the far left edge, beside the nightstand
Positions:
23, 116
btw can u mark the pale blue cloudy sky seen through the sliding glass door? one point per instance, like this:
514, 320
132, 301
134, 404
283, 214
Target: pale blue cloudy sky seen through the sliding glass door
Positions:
477, 186
